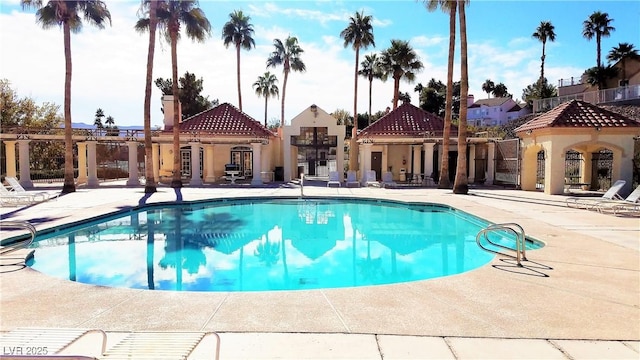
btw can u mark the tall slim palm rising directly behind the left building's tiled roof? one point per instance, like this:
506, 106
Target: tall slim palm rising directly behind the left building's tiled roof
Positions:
238, 31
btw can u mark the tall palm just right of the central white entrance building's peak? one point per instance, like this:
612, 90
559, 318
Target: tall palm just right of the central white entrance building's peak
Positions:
359, 33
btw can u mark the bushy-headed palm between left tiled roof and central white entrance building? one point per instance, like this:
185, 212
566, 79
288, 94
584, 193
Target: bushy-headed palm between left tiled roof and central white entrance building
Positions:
286, 54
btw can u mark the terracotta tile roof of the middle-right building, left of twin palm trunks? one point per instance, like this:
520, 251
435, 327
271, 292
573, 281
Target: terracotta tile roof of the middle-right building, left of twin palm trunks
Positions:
408, 121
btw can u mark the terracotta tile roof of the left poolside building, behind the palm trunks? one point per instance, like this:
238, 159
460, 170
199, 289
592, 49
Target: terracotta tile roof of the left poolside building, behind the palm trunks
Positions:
225, 119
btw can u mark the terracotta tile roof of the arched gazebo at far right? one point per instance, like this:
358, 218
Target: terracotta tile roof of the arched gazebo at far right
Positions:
578, 114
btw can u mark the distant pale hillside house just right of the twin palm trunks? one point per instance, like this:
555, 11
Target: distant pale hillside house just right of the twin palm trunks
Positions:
494, 111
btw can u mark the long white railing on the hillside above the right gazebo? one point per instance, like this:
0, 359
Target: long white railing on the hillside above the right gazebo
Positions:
624, 93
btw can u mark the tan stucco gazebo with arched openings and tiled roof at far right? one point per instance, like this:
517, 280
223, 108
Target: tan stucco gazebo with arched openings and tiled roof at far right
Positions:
577, 143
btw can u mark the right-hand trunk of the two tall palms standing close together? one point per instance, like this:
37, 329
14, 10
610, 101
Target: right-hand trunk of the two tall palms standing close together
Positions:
460, 185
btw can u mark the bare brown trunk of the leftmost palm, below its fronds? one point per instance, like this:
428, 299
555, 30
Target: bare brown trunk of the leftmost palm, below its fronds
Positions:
69, 184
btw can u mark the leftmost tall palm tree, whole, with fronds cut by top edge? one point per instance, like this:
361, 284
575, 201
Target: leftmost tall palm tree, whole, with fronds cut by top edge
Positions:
66, 14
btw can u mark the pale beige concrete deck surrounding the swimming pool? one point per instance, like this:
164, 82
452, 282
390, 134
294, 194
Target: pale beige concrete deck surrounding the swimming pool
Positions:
577, 297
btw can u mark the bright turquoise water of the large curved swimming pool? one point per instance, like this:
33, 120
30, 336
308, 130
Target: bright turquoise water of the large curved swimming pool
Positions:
265, 244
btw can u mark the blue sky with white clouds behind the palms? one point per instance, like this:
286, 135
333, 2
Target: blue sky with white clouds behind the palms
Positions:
109, 65
